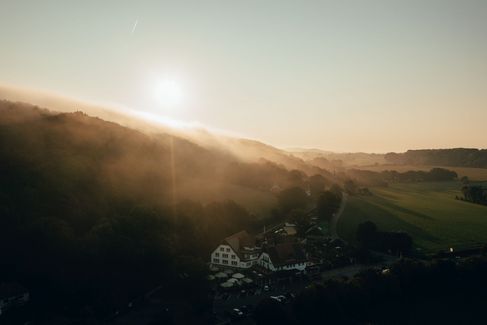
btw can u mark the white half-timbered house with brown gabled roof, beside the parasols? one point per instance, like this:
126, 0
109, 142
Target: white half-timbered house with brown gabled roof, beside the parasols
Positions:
238, 250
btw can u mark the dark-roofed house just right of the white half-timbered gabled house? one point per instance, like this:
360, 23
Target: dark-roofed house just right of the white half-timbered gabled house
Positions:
283, 256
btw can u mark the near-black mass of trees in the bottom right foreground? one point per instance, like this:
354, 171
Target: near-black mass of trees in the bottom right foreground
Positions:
410, 292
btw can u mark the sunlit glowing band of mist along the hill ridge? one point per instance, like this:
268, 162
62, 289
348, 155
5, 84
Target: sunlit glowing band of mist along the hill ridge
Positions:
246, 150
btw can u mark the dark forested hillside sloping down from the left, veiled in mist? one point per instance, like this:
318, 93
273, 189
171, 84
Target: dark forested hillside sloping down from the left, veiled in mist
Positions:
94, 215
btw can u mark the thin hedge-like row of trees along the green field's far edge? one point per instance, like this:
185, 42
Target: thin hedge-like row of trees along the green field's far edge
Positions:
382, 178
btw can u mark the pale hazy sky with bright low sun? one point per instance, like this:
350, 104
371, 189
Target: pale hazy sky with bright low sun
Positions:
371, 76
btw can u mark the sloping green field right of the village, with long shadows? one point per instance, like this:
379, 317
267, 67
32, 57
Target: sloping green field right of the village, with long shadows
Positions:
427, 211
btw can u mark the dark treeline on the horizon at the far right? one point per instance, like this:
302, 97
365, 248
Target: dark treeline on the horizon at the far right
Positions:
460, 157
